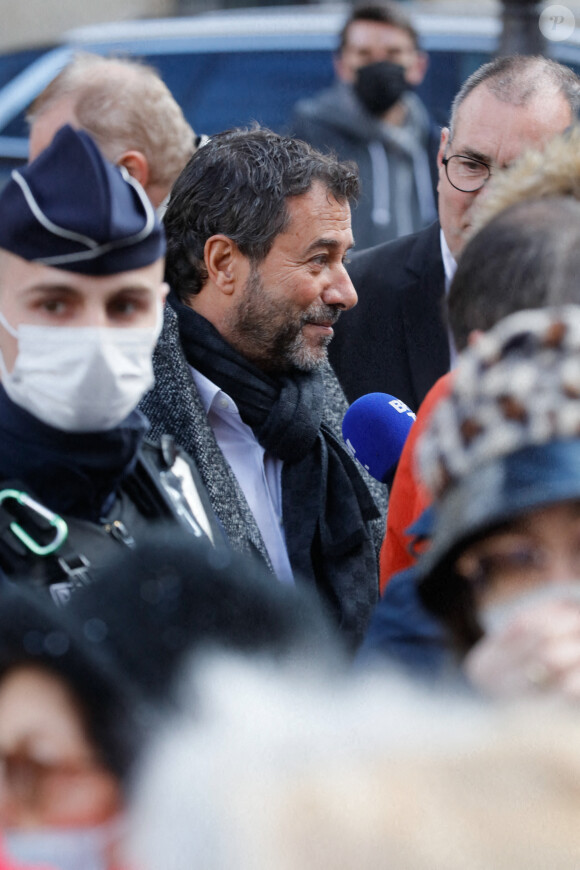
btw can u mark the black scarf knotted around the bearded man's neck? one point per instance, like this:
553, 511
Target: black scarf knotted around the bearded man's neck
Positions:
326, 504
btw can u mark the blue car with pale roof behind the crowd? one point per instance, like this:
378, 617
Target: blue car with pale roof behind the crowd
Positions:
230, 68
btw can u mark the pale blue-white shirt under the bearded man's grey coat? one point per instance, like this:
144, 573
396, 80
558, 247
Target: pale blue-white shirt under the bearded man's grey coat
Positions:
258, 473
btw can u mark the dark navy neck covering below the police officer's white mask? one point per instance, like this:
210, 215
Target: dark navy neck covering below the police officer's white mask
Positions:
72, 473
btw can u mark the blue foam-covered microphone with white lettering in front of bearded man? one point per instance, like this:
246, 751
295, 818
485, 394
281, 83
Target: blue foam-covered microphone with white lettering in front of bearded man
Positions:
375, 428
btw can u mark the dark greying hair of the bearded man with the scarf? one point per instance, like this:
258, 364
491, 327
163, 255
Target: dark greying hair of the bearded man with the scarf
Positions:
237, 184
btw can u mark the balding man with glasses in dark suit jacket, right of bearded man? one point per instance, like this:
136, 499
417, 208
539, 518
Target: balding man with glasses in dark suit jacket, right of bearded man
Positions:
396, 339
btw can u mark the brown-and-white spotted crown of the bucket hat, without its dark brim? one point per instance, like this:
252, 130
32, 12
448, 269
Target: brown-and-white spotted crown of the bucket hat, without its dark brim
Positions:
518, 386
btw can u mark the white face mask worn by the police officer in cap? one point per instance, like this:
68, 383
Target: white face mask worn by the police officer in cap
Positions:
81, 379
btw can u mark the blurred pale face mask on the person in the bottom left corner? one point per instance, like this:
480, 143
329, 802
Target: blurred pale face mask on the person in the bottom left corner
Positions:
62, 848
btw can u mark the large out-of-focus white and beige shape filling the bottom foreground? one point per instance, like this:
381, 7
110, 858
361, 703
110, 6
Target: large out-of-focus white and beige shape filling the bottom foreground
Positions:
280, 771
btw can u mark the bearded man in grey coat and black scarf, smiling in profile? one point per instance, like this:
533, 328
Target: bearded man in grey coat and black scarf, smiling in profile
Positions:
258, 232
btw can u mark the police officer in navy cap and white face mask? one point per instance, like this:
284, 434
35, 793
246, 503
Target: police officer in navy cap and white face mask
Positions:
81, 301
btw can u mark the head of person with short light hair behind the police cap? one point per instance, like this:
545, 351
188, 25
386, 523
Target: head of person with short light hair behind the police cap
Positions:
129, 112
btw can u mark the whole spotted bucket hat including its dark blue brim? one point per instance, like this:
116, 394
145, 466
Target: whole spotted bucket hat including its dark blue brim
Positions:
507, 438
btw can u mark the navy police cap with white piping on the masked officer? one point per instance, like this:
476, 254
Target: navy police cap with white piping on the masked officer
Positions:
72, 209
